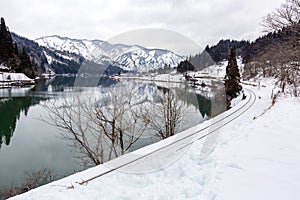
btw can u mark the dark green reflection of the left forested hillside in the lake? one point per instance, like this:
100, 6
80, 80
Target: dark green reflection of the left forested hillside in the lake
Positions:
15, 101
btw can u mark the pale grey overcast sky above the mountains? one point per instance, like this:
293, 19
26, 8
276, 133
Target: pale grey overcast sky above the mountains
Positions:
204, 21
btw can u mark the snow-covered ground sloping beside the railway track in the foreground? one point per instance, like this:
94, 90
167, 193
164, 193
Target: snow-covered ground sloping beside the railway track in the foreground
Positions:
256, 157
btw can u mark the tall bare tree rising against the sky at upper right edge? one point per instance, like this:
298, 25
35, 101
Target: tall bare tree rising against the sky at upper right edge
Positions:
281, 57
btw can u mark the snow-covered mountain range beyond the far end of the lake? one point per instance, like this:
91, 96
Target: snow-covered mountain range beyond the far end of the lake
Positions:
131, 58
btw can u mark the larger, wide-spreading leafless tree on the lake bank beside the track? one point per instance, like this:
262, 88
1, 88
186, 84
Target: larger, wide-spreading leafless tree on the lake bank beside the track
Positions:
99, 129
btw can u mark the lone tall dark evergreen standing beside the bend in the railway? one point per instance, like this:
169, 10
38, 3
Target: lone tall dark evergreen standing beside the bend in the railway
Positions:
232, 79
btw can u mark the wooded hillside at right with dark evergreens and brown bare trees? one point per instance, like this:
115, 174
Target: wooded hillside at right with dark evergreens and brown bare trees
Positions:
276, 53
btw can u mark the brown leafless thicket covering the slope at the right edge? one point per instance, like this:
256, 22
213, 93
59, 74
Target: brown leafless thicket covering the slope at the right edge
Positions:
279, 60
